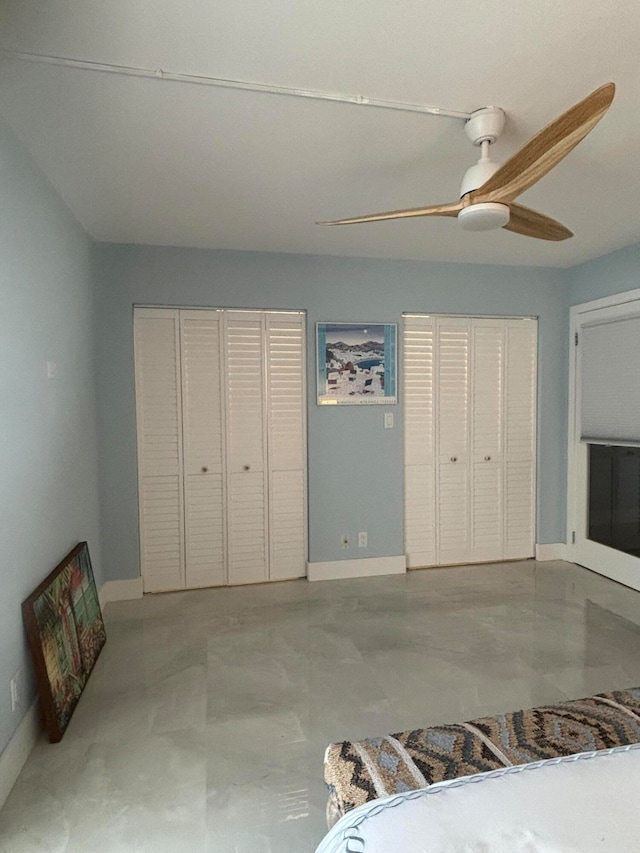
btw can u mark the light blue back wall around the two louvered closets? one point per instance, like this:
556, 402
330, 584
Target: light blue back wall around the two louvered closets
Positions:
355, 466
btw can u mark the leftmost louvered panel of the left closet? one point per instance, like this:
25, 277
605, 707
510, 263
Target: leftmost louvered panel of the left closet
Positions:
159, 428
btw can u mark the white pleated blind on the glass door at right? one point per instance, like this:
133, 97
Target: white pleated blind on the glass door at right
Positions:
610, 381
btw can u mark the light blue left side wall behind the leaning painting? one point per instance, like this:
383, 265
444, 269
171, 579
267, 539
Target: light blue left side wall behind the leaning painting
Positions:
48, 479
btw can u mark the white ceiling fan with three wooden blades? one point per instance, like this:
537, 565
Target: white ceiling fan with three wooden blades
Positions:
489, 189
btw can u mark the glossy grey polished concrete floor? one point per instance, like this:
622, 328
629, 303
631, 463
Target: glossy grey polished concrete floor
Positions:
204, 724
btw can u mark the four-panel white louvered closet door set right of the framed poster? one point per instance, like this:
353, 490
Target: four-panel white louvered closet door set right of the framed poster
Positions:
475, 379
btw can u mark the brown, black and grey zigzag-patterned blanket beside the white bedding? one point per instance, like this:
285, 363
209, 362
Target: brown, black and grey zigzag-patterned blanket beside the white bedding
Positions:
365, 770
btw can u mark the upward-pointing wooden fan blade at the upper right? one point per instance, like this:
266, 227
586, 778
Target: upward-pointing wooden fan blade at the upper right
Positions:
546, 149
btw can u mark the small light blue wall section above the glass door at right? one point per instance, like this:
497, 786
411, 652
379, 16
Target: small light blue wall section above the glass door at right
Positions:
613, 273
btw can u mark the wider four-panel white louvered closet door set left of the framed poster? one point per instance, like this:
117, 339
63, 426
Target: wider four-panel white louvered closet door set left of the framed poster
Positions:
220, 403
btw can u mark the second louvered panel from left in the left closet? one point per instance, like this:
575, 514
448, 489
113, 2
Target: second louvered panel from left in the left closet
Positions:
204, 440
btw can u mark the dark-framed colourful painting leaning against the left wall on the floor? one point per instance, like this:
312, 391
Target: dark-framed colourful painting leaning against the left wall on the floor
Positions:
66, 634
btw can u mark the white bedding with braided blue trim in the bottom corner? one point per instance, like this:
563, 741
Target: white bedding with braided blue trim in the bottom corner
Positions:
578, 804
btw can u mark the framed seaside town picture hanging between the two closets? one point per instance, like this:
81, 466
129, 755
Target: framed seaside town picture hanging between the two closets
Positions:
356, 363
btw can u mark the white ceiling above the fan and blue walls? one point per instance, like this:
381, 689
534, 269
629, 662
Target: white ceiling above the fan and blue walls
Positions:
153, 161
